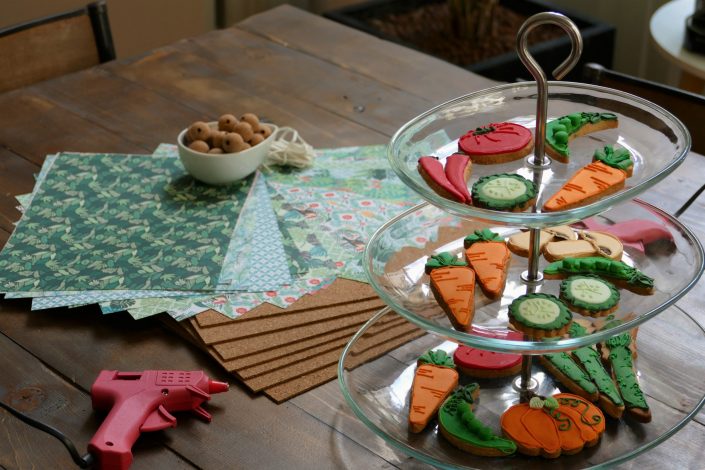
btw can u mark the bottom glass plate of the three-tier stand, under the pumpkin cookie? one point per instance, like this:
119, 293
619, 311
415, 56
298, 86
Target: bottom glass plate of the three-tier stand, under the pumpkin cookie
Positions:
671, 369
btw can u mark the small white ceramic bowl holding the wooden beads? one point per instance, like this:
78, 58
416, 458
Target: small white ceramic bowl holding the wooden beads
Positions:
225, 168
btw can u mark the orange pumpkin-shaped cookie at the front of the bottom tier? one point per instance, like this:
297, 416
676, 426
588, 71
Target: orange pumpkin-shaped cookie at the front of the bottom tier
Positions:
562, 424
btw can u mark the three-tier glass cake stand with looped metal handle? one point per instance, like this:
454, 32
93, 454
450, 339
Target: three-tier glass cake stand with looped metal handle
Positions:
671, 347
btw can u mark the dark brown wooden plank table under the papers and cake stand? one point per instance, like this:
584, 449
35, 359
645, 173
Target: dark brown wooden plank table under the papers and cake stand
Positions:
335, 85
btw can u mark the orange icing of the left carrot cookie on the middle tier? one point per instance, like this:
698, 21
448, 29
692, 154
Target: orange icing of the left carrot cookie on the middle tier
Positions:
456, 287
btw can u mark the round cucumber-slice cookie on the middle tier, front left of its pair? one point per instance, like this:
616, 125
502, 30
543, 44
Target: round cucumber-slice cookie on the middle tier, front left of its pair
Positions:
540, 315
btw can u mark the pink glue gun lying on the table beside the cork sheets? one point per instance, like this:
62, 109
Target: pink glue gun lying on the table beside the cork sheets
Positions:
142, 402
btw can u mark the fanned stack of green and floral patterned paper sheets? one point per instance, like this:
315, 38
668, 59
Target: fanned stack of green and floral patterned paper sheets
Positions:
136, 233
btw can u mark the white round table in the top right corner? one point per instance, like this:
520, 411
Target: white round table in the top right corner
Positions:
667, 28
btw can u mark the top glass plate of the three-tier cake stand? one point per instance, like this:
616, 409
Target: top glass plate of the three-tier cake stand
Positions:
657, 140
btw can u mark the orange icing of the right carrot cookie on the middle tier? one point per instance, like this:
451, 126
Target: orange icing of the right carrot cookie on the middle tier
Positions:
490, 261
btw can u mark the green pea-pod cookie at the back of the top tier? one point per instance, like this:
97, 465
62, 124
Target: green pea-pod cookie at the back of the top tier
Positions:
562, 130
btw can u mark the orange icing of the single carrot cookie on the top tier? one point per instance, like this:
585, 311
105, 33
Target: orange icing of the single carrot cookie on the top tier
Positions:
590, 181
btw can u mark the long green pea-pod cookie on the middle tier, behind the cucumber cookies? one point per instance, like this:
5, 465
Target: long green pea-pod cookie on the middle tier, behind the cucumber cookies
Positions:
602, 267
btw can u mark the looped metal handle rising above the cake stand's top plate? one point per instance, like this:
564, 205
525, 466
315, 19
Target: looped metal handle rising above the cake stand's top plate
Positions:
539, 75
